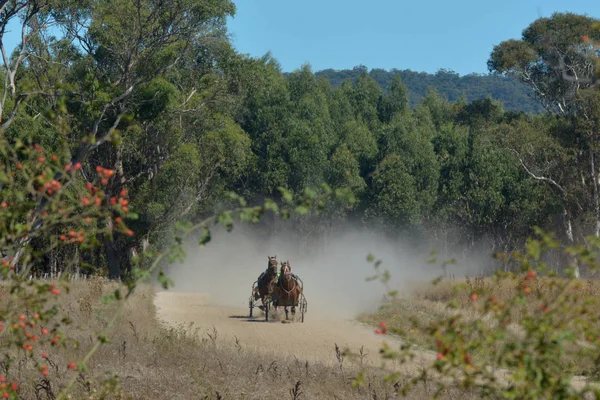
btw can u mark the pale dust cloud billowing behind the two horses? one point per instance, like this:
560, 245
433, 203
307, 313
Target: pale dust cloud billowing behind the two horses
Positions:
334, 276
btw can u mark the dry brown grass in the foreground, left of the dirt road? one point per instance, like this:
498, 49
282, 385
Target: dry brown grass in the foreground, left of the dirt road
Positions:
181, 363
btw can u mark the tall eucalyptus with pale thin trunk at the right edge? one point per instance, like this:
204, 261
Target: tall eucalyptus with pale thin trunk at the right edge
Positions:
557, 60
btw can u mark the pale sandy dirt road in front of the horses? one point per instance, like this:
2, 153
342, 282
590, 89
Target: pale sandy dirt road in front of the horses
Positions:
313, 340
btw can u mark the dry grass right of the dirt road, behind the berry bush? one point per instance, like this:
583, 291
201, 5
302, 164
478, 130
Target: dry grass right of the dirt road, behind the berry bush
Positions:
407, 315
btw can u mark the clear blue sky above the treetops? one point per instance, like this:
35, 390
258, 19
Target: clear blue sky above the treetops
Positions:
419, 35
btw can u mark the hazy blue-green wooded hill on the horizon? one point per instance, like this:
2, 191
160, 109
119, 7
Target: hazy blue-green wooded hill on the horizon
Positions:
513, 94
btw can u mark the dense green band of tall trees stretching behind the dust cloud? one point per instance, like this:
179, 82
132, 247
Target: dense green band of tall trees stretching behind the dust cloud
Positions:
157, 94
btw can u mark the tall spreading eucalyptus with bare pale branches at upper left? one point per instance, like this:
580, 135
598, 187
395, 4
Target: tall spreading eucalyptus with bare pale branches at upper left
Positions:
121, 55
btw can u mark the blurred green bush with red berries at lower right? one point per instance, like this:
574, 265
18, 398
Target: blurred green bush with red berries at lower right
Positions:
527, 335
